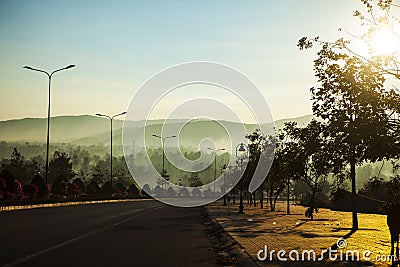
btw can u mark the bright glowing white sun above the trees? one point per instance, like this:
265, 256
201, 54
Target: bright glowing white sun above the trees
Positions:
384, 42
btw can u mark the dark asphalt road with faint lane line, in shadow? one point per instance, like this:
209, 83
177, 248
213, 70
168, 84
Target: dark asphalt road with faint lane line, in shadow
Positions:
143, 233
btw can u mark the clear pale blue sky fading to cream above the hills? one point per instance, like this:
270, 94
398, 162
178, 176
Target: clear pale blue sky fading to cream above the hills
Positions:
118, 45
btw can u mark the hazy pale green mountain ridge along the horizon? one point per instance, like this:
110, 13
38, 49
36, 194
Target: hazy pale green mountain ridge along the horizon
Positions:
89, 130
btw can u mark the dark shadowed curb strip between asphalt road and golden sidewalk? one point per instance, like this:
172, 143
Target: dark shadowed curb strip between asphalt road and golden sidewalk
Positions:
232, 253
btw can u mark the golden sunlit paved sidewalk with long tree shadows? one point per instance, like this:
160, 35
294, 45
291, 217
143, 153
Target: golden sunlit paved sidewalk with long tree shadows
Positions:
278, 231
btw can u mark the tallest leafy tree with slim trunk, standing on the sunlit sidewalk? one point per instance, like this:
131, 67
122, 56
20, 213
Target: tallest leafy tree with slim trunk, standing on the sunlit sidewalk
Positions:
352, 102
